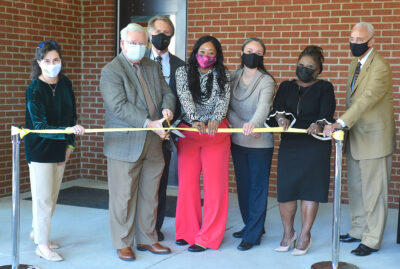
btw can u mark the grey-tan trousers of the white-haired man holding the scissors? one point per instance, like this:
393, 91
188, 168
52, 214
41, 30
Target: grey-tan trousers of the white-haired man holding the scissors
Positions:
133, 188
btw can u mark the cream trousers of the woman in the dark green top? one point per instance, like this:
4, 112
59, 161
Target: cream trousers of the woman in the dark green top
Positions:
45, 181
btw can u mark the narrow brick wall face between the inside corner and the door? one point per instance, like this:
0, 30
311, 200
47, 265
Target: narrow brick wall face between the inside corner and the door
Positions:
98, 50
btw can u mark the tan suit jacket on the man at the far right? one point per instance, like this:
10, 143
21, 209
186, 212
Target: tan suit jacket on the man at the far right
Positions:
369, 113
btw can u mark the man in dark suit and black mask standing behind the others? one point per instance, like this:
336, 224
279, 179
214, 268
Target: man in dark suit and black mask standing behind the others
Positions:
161, 29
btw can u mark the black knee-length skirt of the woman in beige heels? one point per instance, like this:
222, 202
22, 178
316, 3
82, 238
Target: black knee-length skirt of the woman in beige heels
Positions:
303, 168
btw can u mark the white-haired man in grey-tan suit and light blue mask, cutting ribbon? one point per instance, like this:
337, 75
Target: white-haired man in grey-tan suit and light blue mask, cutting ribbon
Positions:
135, 95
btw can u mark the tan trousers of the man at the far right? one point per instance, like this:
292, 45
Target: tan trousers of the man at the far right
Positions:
368, 182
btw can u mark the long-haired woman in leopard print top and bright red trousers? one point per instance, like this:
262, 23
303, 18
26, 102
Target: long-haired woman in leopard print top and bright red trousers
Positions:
203, 90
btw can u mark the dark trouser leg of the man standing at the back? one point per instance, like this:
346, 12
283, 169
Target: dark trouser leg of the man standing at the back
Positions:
162, 190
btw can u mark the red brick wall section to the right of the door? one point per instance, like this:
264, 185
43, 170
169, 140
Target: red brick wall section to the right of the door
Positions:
286, 27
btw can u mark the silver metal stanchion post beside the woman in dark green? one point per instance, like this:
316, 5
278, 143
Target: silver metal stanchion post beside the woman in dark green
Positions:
16, 141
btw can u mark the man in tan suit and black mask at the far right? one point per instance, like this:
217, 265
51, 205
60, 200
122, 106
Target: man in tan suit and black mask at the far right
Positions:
370, 142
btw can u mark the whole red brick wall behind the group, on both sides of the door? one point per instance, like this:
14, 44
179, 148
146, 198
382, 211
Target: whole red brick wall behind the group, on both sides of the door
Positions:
86, 31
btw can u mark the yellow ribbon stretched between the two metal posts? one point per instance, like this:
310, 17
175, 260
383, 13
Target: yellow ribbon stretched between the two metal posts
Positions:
23, 132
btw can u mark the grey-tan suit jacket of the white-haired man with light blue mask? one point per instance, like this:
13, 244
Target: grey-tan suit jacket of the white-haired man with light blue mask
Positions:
126, 105
